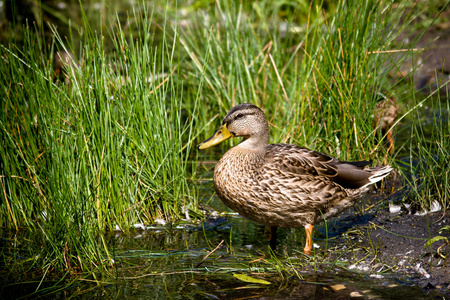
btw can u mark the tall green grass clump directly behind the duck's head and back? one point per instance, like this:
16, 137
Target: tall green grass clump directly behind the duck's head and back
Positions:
311, 79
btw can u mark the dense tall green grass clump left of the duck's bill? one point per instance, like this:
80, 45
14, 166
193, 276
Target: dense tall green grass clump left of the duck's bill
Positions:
105, 147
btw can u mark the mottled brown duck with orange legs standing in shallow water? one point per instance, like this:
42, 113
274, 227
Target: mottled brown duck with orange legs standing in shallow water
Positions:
283, 185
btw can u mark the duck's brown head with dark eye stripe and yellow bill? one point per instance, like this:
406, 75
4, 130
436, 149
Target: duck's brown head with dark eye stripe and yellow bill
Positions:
244, 120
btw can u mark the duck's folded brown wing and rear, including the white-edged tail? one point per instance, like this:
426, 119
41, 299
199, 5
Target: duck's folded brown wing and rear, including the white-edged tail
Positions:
315, 184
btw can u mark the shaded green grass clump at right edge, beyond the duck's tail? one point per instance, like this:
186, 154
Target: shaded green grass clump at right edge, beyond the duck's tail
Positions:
426, 171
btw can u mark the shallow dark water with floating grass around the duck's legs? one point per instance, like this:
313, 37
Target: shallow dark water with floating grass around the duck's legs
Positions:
168, 262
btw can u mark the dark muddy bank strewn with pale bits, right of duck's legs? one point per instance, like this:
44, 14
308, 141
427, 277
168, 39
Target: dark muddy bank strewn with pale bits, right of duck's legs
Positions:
391, 245
